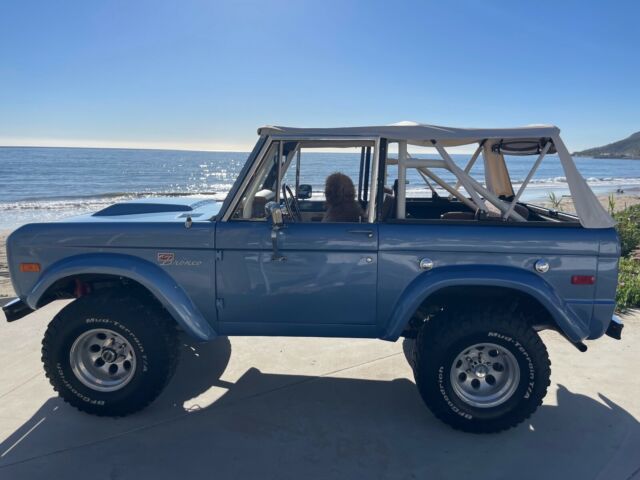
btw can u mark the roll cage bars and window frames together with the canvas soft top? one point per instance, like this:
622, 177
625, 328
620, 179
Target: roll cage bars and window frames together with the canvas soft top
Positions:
496, 197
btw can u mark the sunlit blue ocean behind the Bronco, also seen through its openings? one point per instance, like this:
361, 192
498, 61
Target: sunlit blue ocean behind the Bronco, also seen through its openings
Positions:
41, 184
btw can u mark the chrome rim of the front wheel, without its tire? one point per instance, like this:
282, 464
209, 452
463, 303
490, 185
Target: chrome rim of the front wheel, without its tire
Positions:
102, 360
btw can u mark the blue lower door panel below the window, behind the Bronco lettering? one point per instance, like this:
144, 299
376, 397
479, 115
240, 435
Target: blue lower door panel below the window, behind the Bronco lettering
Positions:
325, 284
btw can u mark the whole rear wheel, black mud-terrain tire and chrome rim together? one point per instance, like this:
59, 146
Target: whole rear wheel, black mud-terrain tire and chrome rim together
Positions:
481, 371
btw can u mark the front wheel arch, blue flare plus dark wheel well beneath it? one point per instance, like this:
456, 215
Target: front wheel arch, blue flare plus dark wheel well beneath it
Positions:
118, 270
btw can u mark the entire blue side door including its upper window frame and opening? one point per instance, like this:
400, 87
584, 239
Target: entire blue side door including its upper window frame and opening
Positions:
325, 282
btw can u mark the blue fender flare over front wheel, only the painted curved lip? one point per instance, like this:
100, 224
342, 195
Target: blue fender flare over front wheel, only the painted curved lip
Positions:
164, 288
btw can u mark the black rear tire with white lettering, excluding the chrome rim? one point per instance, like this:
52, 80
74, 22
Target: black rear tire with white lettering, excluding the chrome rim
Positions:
442, 339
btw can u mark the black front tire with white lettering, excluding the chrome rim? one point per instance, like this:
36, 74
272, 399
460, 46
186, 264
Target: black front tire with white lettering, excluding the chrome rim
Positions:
148, 328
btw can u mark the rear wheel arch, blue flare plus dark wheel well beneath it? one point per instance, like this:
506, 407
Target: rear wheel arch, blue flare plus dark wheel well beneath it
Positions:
485, 283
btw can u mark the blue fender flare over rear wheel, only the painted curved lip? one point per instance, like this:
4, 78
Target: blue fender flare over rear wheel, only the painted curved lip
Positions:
529, 283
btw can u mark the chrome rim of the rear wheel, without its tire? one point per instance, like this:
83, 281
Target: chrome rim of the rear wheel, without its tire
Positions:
485, 375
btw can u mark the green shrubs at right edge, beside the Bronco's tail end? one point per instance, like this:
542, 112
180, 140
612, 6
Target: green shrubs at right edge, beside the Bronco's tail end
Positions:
629, 275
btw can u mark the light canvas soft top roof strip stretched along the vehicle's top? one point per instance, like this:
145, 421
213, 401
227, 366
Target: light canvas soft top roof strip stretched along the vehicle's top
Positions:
421, 134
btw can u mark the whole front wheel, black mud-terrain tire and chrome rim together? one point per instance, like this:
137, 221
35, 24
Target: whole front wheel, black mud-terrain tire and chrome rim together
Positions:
110, 355
